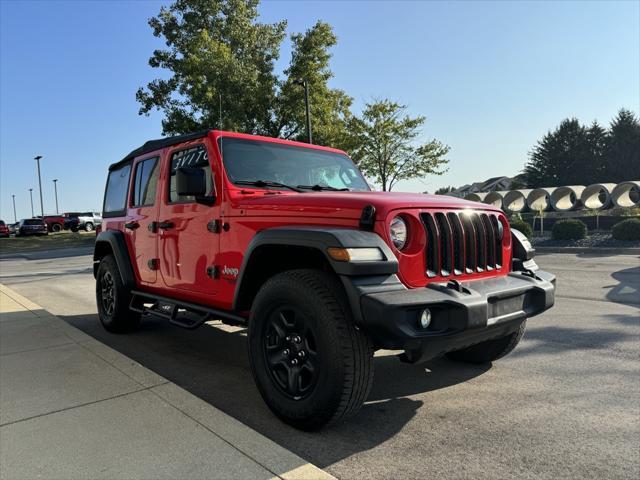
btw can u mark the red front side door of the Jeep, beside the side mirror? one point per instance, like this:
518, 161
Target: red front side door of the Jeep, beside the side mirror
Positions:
187, 247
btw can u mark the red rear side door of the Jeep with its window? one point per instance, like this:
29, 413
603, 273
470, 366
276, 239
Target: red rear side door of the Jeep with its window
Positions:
142, 215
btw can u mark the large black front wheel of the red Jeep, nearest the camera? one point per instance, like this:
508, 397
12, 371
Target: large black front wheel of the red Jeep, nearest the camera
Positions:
311, 364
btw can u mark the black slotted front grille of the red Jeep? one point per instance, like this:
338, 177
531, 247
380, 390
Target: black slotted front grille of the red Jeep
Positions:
461, 243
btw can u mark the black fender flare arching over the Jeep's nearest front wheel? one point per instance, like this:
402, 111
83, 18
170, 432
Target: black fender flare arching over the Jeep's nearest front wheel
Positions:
321, 239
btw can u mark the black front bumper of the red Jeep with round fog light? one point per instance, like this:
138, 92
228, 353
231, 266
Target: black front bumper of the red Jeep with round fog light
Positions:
462, 314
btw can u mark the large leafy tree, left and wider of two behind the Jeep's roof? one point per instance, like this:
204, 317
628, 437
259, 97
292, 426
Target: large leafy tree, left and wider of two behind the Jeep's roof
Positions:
221, 63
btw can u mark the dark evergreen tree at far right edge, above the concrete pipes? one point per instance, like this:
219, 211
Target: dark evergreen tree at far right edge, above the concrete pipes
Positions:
623, 148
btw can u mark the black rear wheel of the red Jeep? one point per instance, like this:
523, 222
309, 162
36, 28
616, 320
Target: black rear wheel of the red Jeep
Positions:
113, 299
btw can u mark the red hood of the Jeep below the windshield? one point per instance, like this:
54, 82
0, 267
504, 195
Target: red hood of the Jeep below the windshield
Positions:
344, 204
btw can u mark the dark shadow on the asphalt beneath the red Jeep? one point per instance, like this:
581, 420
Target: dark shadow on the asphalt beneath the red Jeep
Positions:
212, 364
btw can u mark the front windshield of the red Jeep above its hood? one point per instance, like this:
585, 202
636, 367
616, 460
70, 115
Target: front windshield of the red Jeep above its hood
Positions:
254, 161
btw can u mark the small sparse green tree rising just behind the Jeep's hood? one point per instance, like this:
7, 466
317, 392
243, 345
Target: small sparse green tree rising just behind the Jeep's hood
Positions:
386, 148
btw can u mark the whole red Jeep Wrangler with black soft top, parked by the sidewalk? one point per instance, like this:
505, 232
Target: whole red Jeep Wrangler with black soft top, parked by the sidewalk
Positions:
288, 239
